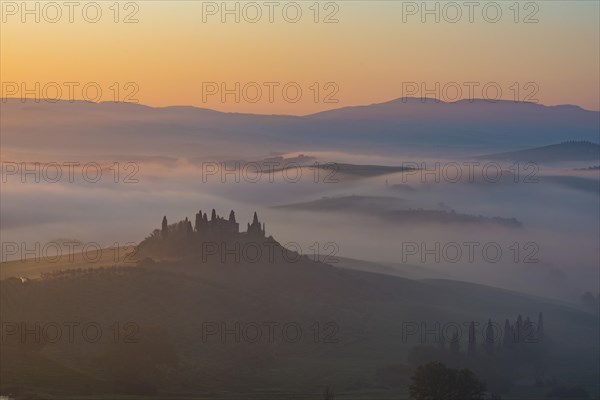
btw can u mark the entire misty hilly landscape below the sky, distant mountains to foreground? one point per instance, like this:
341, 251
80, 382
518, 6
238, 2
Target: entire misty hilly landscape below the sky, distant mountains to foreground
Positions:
383, 237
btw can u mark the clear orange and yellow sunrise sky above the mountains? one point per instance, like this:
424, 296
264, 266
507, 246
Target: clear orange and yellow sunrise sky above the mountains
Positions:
182, 53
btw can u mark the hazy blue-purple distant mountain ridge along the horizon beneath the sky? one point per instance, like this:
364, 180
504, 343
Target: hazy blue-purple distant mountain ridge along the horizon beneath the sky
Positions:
472, 126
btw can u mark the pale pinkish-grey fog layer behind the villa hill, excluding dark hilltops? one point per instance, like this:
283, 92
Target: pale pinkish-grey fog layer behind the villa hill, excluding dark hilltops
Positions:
561, 222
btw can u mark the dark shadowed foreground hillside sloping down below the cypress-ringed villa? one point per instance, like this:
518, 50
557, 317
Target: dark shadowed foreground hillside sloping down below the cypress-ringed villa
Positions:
281, 327
